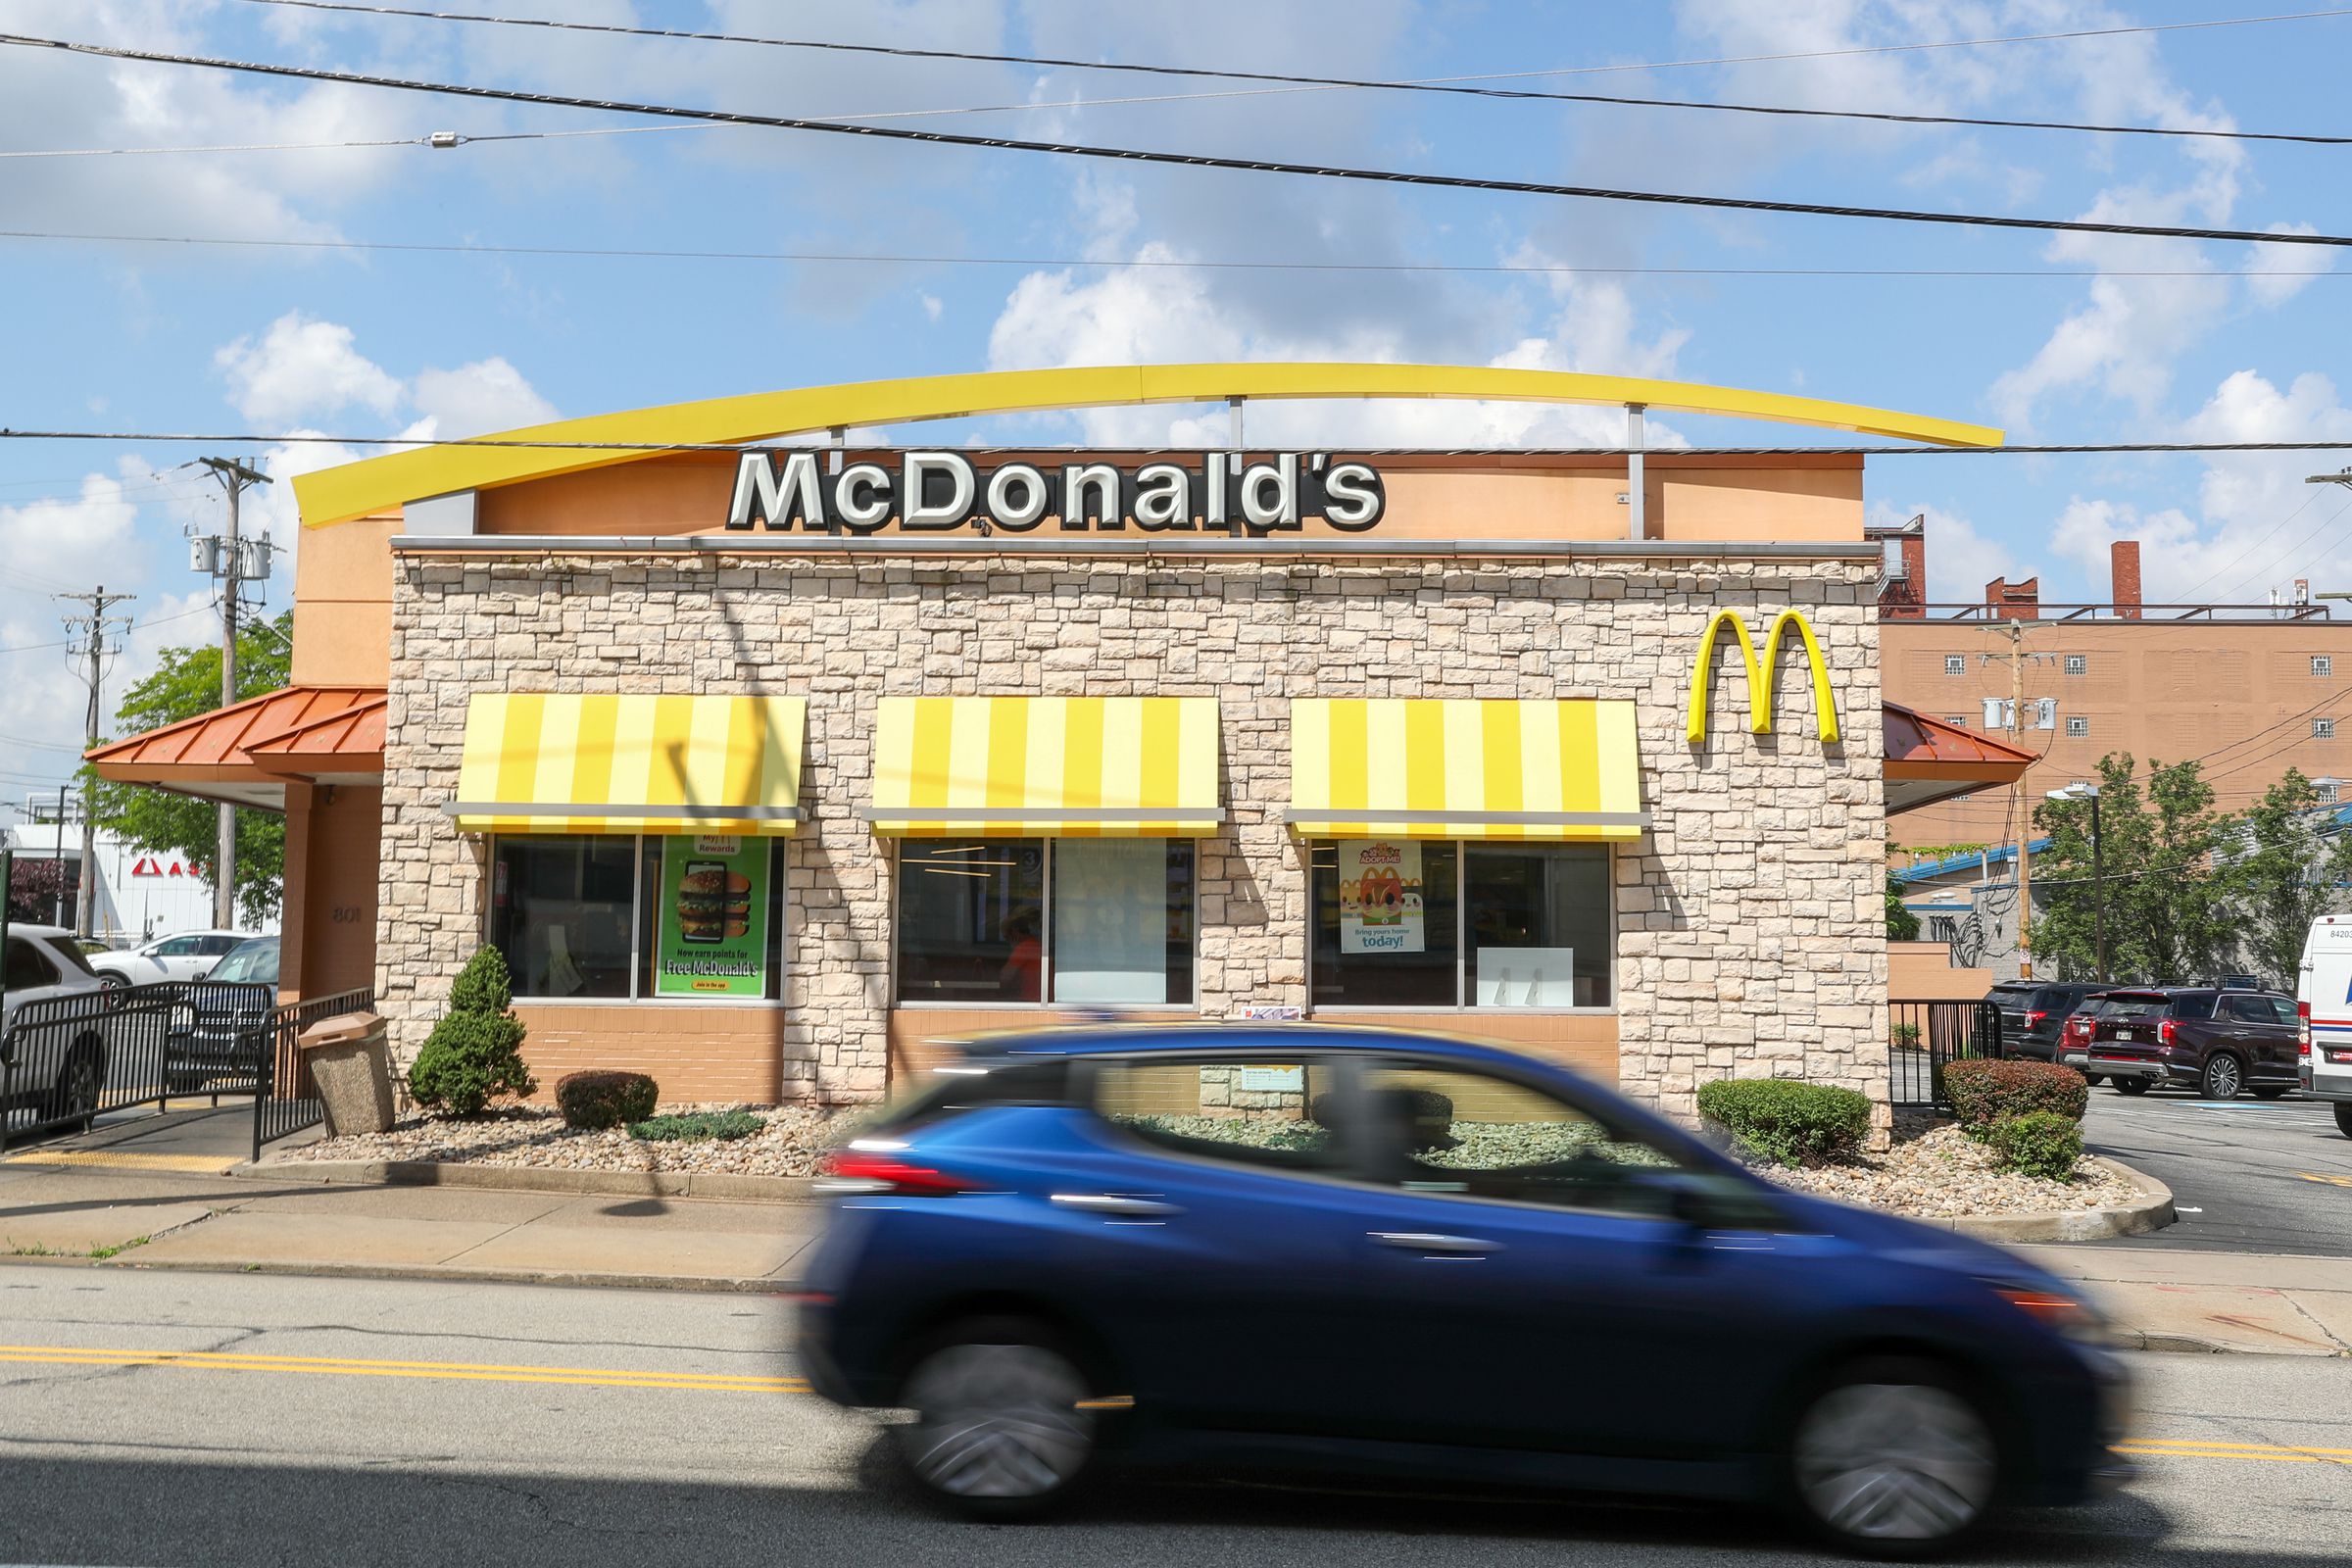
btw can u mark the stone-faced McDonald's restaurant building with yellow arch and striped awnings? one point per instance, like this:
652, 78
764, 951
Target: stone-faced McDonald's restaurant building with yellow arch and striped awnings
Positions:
766, 765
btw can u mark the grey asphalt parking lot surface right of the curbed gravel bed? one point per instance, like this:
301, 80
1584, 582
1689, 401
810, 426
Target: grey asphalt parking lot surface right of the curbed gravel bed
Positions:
2247, 1177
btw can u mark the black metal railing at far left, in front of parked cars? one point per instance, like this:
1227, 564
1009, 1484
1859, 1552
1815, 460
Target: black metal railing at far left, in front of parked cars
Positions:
69, 1059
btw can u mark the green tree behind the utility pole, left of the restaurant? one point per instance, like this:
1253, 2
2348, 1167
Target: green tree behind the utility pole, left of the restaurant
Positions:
187, 683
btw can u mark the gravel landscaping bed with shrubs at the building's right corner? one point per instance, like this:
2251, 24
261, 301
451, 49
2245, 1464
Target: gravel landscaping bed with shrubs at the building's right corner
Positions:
1937, 1172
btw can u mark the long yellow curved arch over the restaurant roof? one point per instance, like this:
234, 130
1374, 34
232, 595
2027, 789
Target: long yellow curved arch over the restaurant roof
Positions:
375, 485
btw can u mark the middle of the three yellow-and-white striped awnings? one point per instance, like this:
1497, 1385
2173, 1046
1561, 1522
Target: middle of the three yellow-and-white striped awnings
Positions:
1130, 768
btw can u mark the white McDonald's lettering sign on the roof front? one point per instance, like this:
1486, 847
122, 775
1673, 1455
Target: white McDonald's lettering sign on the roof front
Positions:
937, 492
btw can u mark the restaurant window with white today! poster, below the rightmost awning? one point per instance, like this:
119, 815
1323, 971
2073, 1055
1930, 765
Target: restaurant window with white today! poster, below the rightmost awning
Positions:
1436, 923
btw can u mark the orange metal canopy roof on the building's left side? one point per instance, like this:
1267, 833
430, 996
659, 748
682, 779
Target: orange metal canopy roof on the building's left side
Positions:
246, 753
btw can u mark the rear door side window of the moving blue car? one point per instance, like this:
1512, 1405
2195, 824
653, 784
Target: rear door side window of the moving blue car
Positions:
1271, 1111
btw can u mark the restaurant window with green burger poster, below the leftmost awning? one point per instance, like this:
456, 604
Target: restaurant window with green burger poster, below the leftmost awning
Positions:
624, 918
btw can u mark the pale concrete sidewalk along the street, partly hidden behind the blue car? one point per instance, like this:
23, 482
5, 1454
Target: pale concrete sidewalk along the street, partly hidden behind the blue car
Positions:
152, 1193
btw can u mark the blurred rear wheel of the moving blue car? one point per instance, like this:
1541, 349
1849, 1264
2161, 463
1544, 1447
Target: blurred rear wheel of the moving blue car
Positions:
1001, 1426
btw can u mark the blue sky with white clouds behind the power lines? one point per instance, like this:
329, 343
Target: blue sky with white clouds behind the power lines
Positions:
267, 340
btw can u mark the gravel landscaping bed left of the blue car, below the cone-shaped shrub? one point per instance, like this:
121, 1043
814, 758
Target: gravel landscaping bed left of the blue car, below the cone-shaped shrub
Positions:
791, 1141
